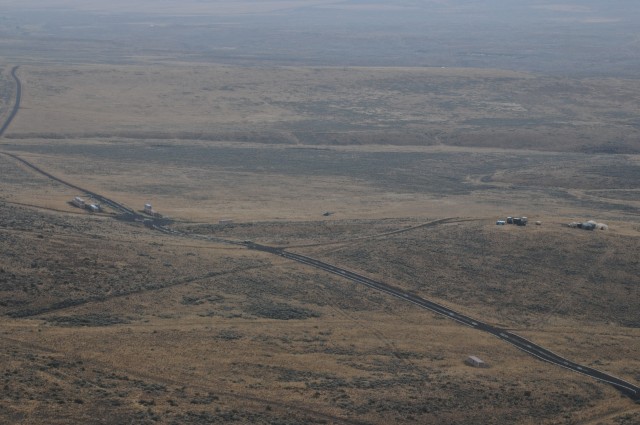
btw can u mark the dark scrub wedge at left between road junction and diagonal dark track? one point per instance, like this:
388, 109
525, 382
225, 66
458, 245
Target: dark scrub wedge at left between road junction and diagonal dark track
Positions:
79, 263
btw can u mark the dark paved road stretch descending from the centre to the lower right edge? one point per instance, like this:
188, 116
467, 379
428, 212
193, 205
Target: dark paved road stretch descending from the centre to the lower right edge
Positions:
519, 342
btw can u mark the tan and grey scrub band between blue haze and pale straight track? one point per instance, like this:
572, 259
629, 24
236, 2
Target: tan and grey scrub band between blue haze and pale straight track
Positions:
331, 105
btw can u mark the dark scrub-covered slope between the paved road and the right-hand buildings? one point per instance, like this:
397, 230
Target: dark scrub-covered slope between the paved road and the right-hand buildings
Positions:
523, 275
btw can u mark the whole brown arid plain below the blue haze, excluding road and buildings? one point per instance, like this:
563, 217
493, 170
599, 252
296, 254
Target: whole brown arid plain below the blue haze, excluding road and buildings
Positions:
107, 321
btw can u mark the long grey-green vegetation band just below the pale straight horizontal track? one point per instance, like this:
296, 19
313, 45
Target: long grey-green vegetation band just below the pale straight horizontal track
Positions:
437, 173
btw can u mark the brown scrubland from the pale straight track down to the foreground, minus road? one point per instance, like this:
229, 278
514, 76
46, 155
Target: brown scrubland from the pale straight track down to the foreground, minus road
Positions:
100, 315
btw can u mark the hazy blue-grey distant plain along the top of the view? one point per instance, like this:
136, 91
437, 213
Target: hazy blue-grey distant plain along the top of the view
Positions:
592, 38
